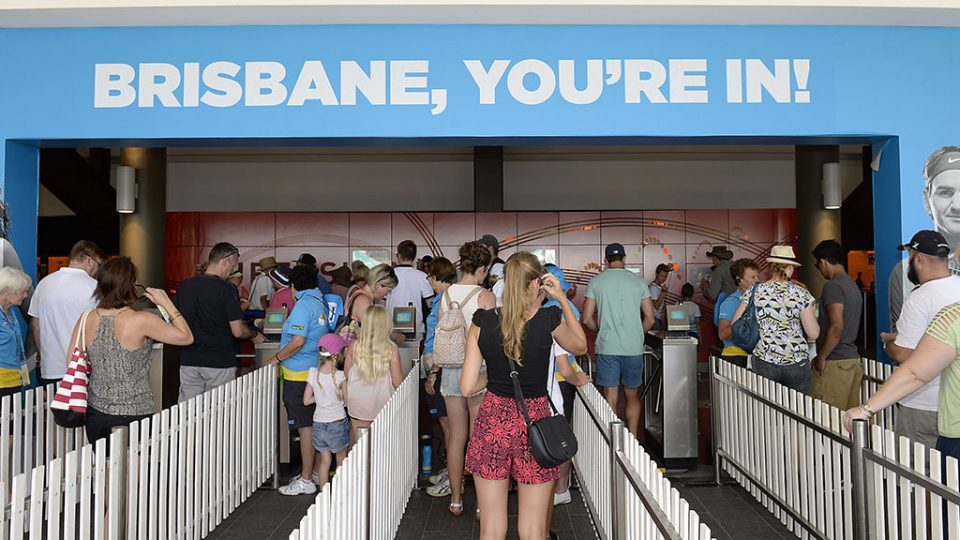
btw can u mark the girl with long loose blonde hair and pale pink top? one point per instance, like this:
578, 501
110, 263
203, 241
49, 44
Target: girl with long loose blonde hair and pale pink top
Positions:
372, 369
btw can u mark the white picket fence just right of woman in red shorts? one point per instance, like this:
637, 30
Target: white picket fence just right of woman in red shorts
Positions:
627, 495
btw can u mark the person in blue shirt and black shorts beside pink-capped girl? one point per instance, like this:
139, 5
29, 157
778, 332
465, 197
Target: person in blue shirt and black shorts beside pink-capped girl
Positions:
299, 351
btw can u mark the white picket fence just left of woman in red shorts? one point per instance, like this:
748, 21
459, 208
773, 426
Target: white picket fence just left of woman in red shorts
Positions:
370, 490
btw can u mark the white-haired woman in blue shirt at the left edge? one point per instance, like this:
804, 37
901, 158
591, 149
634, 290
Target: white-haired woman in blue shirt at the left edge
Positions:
14, 374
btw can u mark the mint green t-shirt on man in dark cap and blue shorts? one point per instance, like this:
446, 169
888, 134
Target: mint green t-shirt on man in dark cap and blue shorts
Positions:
618, 293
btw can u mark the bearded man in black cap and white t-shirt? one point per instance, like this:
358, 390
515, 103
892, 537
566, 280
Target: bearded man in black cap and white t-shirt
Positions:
927, 267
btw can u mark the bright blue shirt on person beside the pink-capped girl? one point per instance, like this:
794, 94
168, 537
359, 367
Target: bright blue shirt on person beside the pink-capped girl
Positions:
308, 319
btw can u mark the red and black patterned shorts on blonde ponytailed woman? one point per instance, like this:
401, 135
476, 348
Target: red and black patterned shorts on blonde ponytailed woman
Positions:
498, 448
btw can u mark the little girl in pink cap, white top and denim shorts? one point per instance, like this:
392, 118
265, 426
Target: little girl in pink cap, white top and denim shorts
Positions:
331, 429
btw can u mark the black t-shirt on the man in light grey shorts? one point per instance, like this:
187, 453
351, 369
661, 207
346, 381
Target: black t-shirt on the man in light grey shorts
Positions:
208, 304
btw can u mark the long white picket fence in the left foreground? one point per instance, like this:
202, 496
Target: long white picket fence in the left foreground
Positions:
177, 474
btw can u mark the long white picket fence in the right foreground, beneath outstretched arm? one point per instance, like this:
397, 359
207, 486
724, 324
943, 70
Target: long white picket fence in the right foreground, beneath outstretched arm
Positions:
791, 453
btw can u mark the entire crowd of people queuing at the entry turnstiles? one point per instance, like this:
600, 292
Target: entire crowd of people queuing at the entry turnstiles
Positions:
493, 332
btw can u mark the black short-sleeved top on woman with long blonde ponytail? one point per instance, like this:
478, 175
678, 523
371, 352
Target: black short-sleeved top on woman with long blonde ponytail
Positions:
537, 347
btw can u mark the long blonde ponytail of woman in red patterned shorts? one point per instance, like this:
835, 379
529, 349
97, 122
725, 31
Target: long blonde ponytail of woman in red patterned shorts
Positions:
521, 268
